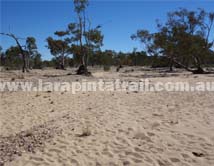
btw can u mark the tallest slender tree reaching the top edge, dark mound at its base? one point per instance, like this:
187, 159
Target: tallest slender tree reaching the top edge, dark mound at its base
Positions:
83, 39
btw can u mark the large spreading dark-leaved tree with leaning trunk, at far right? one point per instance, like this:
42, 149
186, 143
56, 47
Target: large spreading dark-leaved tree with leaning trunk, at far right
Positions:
183, 39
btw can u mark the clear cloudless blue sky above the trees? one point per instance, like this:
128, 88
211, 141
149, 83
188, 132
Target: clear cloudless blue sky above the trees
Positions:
119, 19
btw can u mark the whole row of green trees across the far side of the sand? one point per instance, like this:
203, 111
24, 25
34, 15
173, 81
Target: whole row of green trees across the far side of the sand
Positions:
185, 40
